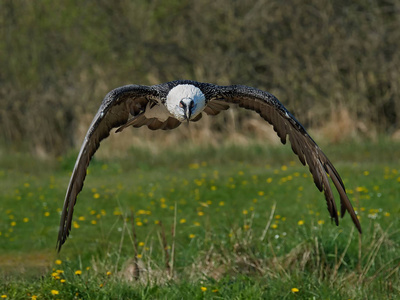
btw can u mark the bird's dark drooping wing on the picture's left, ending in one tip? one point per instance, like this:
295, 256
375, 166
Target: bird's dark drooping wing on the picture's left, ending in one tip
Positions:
114, 111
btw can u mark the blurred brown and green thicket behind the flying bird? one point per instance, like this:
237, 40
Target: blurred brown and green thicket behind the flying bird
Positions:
322, 59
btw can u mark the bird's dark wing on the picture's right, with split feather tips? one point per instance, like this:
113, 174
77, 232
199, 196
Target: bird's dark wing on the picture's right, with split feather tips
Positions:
285, 125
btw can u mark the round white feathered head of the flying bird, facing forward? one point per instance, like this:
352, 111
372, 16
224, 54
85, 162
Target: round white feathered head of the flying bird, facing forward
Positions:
185, 102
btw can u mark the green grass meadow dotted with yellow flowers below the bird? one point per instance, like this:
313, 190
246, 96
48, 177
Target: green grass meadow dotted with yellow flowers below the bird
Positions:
205, 223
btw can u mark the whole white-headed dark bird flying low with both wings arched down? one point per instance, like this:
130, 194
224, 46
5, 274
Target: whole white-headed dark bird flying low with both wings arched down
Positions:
165, 106
